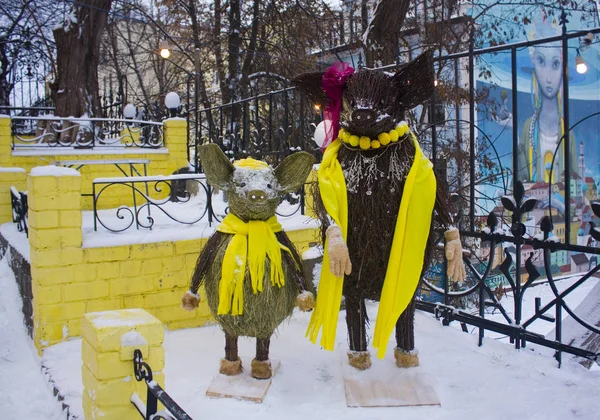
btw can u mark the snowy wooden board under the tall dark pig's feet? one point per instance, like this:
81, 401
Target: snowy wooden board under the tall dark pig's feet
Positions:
387, 386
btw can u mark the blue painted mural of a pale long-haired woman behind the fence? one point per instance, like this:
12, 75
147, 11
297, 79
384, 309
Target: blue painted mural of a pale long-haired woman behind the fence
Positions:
539, 117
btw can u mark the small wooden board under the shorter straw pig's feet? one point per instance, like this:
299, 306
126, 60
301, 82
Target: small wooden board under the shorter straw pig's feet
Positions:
243, 386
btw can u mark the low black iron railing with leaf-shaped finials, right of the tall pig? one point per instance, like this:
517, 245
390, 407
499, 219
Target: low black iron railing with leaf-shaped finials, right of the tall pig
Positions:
520, 271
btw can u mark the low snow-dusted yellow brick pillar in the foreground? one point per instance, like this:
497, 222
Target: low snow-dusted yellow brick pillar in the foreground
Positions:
107, 353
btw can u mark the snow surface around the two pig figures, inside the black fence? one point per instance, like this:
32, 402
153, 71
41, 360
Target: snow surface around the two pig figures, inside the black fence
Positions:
492, 382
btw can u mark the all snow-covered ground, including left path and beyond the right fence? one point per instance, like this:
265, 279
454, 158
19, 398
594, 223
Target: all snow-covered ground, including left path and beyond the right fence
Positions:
494, 381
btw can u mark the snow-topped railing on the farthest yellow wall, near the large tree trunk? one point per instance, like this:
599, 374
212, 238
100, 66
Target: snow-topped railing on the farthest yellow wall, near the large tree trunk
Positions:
84, 133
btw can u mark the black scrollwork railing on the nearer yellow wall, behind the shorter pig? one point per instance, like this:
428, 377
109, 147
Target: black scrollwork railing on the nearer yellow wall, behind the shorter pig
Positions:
161, 201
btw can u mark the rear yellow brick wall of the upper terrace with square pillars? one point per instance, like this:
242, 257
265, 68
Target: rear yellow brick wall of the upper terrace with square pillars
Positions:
172, 158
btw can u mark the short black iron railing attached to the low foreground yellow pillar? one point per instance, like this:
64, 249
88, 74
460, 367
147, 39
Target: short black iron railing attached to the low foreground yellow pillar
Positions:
155, 393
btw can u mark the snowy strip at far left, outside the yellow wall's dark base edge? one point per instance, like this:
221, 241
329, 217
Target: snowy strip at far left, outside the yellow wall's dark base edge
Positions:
24, 392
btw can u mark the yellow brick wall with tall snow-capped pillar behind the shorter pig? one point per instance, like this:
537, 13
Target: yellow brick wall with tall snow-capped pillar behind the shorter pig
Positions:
69, 281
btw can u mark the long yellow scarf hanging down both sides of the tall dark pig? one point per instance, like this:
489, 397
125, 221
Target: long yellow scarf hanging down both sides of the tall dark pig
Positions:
406, 256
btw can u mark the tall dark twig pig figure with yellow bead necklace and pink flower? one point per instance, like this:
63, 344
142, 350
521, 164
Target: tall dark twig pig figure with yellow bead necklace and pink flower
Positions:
377, 196
